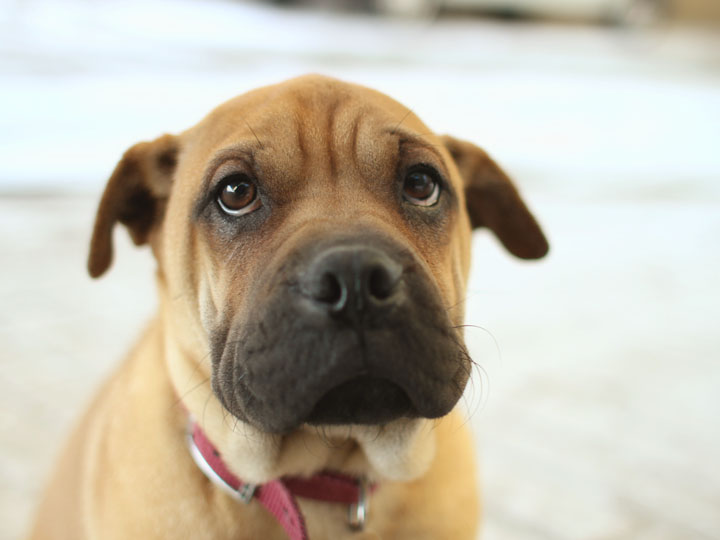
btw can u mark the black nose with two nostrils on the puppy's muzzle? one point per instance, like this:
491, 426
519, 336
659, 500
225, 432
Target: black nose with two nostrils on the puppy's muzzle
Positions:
350, 281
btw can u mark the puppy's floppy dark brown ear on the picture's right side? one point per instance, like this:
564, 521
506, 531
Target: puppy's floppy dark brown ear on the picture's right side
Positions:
494, 202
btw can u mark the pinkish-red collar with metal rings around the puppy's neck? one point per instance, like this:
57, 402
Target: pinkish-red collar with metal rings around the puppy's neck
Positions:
278, 496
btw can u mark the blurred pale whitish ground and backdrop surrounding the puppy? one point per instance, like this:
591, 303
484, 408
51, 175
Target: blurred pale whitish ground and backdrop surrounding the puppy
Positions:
596, 416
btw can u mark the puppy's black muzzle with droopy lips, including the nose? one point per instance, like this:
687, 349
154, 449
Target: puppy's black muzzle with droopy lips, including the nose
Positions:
350, 331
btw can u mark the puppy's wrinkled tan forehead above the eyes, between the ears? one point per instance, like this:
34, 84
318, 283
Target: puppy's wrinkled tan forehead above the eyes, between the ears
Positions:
317, 127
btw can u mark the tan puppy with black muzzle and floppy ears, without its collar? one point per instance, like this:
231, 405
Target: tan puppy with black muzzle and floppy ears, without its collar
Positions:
313, 248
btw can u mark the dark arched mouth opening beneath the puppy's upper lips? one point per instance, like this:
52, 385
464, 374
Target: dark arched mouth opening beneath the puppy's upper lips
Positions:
362, 400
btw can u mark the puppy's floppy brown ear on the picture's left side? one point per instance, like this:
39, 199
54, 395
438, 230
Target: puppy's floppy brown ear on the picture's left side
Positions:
135, 196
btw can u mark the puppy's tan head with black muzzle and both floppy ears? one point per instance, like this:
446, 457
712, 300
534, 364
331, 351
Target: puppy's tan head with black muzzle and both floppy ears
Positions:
313, 242
